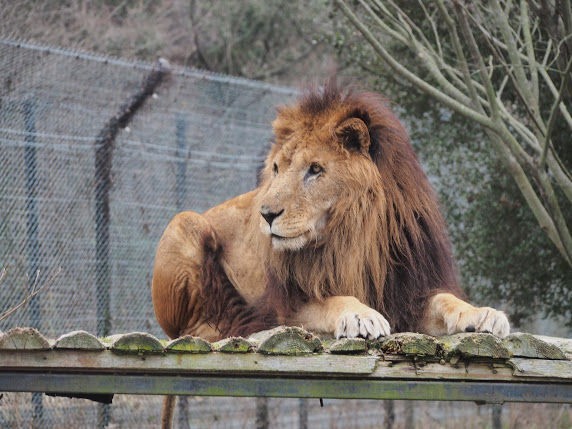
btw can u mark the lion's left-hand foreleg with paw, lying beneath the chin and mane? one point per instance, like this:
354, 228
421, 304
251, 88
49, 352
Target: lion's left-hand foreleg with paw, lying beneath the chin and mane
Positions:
342, 316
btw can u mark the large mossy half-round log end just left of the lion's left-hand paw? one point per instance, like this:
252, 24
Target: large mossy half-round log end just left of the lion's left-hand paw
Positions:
286, 340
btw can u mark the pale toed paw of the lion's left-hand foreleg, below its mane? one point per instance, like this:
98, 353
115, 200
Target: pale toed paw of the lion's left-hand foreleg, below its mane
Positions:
367, 324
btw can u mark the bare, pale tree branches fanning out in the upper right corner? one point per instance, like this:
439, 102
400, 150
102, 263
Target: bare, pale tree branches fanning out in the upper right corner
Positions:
473, 87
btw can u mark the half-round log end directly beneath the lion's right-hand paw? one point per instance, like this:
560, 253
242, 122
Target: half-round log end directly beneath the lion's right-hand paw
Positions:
471, 345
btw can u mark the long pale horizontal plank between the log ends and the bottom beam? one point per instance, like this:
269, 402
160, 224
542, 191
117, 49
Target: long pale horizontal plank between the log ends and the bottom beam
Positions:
314, 365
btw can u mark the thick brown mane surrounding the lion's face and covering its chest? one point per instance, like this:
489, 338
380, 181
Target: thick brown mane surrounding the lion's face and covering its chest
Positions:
387, 243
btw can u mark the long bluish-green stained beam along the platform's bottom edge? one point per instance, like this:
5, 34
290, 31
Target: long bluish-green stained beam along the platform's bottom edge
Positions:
287, 387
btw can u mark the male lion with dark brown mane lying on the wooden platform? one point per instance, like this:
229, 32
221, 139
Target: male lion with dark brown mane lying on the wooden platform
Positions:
343, 236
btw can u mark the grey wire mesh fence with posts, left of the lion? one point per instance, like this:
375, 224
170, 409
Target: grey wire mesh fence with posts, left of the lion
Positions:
97, 154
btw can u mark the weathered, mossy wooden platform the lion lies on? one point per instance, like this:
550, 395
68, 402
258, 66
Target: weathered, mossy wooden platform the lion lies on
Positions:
290, 362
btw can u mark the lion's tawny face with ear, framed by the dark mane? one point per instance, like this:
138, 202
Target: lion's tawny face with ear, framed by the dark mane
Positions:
310, 172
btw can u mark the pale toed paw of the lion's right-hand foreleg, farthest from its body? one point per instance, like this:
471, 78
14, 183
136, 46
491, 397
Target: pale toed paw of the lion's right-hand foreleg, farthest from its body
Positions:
480, 319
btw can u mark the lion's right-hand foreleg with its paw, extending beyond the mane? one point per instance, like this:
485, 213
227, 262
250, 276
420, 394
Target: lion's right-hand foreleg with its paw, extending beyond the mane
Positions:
447, 314
